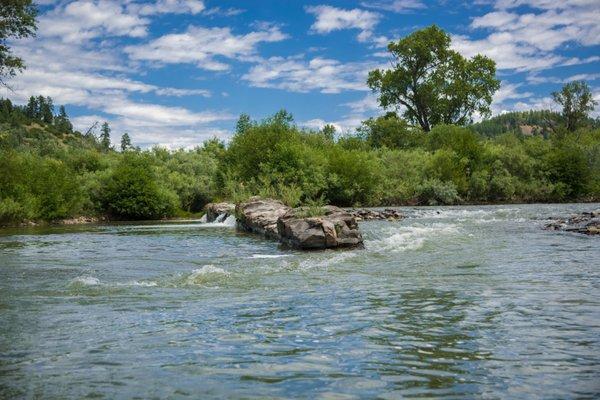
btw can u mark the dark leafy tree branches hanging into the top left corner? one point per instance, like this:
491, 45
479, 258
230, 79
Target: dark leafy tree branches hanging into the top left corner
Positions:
17, 20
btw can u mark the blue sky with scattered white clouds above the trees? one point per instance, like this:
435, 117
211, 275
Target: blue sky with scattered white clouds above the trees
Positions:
176, 72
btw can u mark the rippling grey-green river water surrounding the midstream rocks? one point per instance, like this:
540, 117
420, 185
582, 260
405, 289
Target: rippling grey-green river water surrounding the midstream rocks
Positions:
460, 302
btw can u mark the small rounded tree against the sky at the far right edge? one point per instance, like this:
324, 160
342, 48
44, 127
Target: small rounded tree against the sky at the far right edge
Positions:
577, 102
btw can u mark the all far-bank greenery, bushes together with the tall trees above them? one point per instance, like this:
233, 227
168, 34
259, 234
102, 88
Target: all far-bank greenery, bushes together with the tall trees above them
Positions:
424, 150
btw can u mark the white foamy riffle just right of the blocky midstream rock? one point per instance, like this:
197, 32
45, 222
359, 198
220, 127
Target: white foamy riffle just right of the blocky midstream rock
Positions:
405, 238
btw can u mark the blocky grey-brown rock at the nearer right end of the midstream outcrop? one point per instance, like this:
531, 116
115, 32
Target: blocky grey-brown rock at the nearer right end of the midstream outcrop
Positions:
335, 228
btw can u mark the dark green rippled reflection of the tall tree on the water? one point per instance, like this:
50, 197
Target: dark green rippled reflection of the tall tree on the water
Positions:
424, 345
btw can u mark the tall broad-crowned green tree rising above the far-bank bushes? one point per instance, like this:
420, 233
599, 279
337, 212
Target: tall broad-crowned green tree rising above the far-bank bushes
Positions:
432, 83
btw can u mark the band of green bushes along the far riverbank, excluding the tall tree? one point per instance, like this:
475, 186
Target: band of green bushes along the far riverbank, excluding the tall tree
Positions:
53, 175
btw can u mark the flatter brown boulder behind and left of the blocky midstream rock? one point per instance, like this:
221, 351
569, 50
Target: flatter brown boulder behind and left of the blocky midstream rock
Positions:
260, 216
